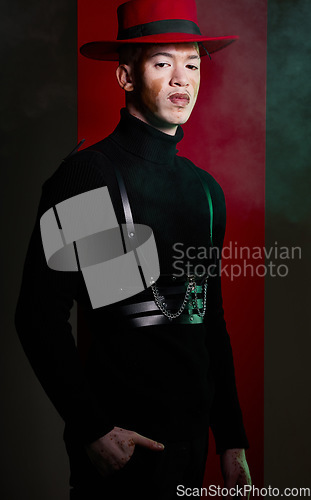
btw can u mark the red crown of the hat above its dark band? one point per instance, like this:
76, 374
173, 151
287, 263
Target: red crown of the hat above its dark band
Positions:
140, 12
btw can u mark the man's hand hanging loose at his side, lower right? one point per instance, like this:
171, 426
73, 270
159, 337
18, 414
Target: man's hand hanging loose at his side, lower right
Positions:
234, 469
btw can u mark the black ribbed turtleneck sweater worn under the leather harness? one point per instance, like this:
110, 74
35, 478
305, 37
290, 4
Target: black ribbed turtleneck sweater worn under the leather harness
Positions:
164, 381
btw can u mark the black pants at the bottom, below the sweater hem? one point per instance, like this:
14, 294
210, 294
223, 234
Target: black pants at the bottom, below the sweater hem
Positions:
148, 475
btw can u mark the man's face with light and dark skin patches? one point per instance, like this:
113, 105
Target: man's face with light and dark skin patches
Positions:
166, 84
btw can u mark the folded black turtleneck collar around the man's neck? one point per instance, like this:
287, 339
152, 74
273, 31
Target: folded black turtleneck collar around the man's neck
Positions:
145, 141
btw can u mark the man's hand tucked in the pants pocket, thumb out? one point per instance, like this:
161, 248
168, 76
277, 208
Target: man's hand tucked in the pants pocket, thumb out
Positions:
112, 451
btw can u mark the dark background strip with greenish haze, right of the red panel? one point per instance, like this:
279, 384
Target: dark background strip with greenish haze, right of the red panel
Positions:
288, 216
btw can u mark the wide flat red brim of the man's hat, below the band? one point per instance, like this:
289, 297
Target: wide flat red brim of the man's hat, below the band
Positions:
108, 50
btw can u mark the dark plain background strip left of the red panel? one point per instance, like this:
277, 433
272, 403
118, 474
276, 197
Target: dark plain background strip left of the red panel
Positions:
38, 128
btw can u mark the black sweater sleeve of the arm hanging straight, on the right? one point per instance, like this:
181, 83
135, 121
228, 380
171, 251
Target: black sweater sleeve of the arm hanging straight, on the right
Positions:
226, 418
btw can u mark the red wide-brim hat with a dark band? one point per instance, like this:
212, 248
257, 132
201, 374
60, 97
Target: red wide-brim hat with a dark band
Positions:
155, 21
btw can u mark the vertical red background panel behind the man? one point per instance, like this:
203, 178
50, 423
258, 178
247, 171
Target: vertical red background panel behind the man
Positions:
225, 136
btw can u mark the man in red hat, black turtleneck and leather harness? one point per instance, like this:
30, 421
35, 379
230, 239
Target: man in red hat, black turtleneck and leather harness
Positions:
159, 368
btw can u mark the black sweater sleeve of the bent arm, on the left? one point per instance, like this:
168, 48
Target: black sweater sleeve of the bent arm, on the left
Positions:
43, 311
